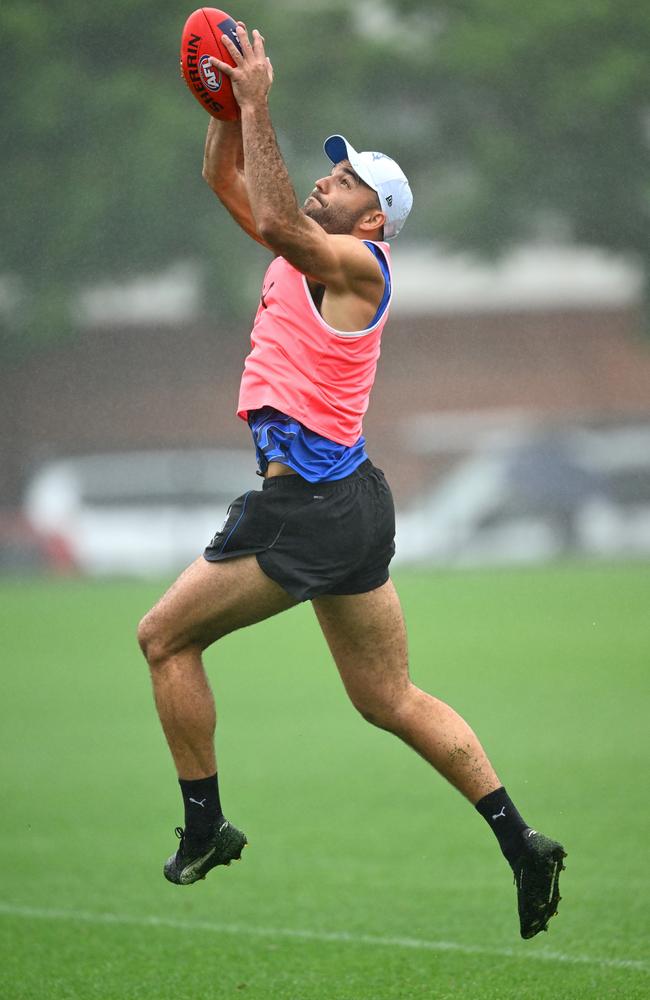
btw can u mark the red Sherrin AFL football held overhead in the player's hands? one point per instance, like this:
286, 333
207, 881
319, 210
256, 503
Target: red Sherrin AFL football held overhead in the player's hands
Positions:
201, 39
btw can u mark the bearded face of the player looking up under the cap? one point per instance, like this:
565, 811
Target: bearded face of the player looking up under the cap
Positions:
339, 200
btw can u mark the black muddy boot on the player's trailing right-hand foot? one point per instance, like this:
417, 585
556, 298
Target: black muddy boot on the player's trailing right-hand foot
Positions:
537, 877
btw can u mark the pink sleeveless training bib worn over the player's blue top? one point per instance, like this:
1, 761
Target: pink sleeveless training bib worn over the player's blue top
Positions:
303, 367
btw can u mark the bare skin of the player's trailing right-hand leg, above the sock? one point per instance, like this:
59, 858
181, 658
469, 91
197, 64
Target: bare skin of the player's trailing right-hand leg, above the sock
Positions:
367, 638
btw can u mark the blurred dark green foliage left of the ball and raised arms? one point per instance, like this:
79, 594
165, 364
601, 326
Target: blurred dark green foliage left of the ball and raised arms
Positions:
102, 173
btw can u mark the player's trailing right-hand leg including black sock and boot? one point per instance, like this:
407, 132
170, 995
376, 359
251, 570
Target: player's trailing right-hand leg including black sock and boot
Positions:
366, 635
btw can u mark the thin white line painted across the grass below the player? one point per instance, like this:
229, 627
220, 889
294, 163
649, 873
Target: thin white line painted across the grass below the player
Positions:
336, 937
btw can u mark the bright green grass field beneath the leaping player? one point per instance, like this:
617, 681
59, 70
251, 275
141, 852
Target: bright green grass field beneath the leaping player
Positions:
367, 878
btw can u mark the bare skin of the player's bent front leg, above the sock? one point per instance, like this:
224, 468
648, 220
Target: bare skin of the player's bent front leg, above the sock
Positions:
208, 601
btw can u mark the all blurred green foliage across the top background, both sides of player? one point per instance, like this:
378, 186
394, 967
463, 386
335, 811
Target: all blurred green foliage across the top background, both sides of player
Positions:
505, 116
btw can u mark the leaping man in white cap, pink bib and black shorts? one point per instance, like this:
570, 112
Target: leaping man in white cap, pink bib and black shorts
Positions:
322, 527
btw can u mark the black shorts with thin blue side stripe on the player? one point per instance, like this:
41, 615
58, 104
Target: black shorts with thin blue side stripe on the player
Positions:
335, 537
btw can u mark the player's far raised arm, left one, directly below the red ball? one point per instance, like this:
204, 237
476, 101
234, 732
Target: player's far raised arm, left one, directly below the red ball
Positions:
223, 169
